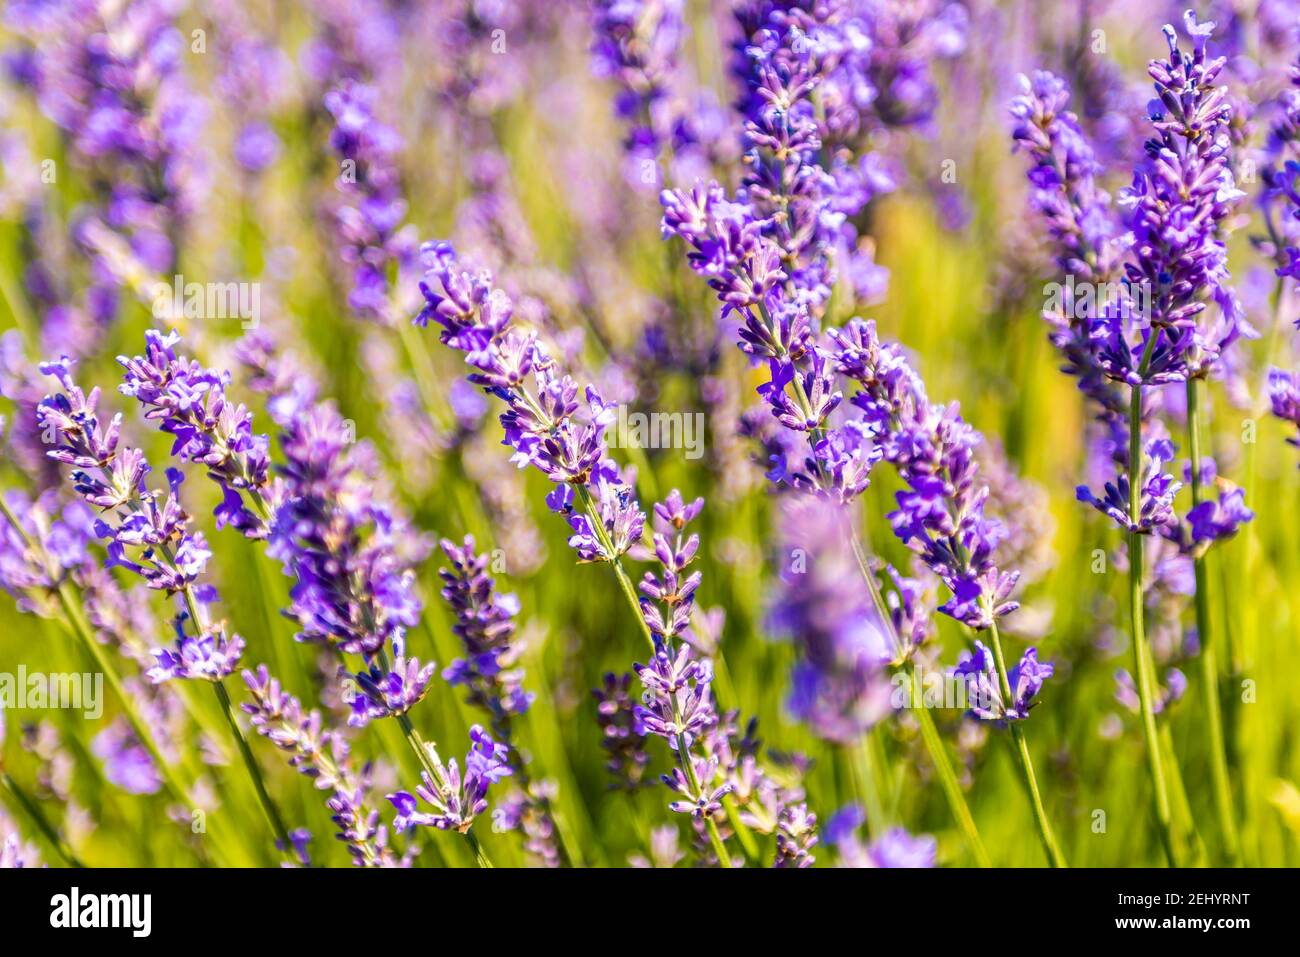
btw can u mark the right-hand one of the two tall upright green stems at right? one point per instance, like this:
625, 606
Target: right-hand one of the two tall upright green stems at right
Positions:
1223, 789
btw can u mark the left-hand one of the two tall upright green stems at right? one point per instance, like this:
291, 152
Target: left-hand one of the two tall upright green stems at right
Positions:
1142, 655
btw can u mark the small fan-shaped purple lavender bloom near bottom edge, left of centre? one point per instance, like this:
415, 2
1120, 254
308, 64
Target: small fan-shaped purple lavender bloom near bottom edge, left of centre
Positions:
456, 802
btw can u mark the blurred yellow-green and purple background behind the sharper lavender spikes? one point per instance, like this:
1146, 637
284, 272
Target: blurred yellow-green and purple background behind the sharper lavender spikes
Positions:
510, 146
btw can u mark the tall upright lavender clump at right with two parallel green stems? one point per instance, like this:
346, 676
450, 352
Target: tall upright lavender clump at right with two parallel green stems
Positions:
1175, 254
